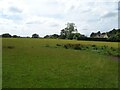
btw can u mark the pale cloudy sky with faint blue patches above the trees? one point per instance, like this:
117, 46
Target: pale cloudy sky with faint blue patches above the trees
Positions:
45, 17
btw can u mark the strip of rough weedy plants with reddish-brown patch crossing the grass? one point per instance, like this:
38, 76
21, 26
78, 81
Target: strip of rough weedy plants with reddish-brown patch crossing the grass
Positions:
100, 49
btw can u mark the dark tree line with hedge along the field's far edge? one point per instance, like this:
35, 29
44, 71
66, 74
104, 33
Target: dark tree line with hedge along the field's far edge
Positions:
70, 32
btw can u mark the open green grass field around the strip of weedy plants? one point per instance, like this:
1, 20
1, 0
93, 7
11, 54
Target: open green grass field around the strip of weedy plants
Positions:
39, 63
